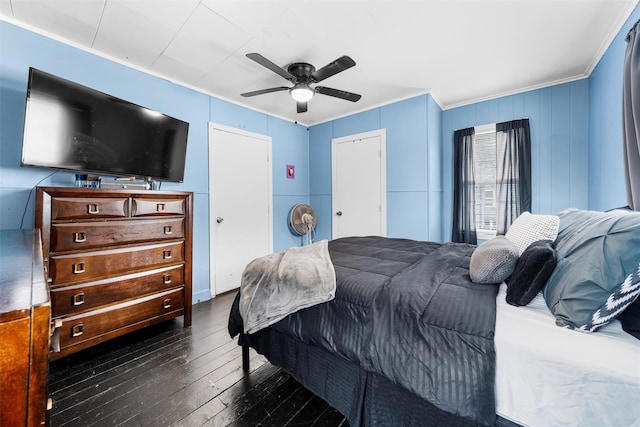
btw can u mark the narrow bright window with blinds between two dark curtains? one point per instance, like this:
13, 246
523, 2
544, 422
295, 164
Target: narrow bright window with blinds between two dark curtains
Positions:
484, 161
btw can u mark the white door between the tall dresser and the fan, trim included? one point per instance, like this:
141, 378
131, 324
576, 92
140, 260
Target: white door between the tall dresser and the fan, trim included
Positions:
239, 203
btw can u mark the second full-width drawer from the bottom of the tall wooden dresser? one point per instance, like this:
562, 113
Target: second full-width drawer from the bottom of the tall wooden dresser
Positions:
74, 299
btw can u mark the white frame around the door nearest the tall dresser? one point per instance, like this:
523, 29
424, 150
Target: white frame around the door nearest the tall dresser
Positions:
212, 127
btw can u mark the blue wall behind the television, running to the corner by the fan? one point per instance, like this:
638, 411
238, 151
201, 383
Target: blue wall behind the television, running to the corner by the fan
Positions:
22, 49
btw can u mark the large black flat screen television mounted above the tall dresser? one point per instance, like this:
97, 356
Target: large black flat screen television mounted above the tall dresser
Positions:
75, 128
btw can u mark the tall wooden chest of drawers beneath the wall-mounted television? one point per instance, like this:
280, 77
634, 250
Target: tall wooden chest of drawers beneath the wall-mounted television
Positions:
117, 261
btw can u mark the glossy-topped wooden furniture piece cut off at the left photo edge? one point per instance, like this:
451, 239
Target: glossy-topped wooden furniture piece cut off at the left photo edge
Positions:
24, 329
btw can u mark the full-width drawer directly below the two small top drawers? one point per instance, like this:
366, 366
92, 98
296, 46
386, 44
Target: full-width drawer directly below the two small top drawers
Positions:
86, 235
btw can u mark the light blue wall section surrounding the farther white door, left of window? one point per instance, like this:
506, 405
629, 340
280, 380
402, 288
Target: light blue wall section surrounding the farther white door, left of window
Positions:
414, 158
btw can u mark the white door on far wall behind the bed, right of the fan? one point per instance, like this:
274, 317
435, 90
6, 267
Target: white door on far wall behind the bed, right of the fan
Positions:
359, 185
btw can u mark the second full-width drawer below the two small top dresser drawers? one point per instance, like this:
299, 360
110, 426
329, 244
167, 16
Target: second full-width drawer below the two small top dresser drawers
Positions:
91, 265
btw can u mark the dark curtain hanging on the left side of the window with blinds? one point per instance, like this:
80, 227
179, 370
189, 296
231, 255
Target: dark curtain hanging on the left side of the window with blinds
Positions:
464, 223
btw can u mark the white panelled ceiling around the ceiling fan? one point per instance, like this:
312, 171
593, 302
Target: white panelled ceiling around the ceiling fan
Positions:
459, 51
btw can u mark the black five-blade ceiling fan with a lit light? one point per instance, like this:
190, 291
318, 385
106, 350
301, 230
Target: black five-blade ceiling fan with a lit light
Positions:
302, 75
